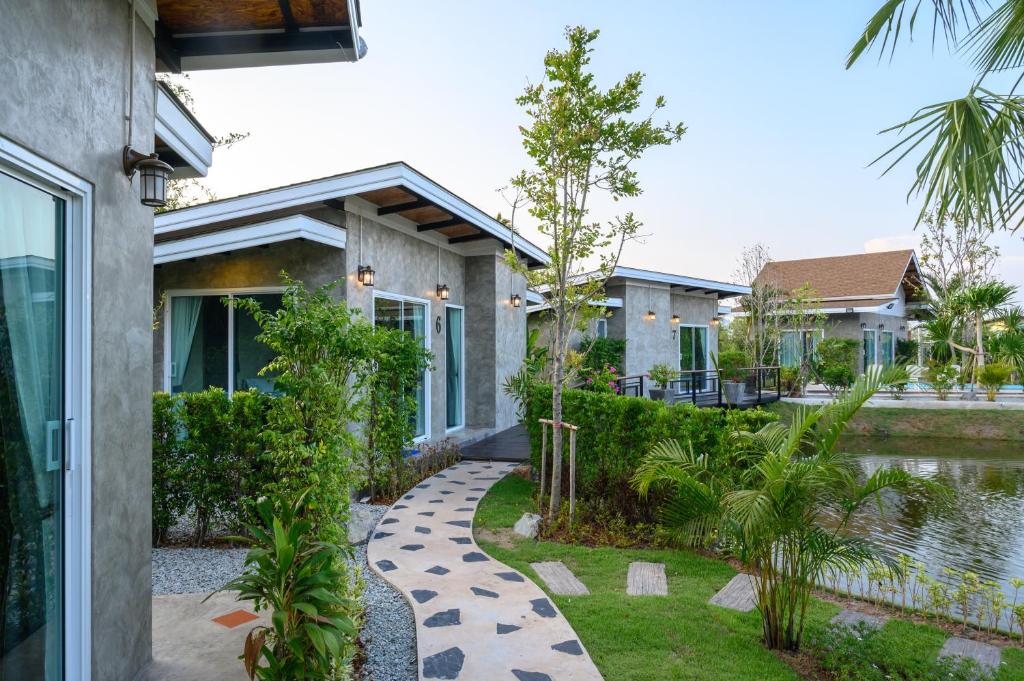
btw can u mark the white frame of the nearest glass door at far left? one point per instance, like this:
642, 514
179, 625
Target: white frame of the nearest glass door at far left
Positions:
77, 537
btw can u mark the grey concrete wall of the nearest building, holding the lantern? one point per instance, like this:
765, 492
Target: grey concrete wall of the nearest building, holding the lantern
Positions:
65, 74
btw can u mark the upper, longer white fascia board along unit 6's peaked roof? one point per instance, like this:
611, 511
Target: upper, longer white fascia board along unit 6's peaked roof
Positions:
396, 175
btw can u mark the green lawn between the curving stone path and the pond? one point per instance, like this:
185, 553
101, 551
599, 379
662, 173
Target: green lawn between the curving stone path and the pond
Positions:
680, 636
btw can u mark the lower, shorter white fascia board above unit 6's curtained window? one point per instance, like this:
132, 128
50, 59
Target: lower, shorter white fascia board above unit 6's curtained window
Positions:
287, 229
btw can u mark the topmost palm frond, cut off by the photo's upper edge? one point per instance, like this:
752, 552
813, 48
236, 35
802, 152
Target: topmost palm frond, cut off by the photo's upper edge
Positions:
897, 17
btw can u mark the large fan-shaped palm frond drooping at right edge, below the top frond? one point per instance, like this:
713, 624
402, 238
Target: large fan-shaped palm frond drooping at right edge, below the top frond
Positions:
973, 163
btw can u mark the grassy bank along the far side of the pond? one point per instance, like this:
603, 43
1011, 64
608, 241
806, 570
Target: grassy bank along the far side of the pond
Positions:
950, 423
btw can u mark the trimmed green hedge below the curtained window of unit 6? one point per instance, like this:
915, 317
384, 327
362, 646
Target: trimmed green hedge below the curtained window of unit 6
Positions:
209, 463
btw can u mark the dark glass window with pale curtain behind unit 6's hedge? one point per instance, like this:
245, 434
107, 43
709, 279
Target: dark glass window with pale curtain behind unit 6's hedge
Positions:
215, 346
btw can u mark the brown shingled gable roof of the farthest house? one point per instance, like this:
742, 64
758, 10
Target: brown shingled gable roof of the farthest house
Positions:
865, 276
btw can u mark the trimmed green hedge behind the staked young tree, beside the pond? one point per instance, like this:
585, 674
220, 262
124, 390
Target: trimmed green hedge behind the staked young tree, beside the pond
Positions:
617, 433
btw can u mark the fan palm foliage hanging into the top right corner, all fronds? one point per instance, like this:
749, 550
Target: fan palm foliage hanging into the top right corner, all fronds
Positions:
972, 163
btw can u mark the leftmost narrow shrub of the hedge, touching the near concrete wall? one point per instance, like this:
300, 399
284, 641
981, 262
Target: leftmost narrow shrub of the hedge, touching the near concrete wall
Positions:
168, 486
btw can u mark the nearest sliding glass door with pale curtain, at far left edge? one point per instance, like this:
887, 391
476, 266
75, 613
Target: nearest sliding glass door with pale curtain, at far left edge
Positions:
32, 390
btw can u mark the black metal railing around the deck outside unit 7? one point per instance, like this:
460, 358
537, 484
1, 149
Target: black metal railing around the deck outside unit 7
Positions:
708, 388
